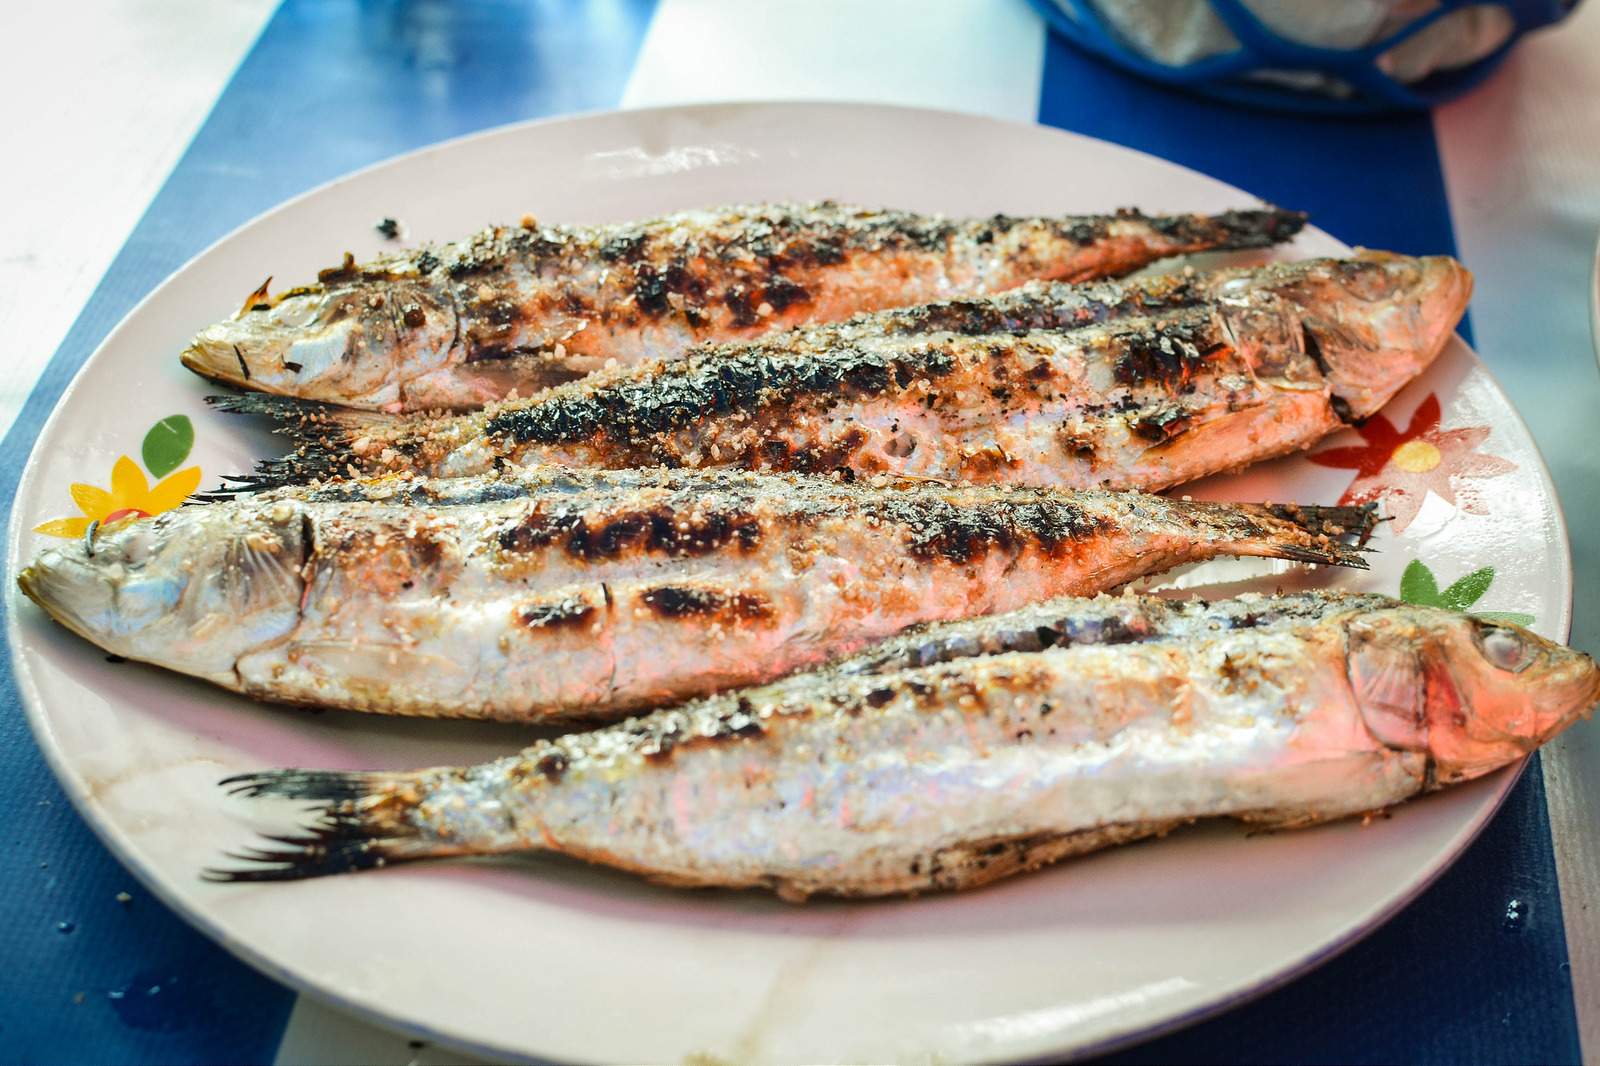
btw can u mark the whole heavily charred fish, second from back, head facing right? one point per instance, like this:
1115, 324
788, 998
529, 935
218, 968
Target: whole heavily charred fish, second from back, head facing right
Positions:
1119, 385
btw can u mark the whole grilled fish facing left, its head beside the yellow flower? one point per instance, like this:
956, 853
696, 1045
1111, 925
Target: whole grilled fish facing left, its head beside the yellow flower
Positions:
580, 596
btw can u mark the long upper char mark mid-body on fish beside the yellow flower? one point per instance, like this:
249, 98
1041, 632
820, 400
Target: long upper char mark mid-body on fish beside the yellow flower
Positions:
655, 531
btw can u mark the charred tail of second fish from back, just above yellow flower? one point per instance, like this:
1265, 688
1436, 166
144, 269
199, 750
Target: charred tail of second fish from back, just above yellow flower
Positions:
326, 439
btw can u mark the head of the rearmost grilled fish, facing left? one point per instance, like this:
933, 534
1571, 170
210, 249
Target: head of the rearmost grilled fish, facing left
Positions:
343, 343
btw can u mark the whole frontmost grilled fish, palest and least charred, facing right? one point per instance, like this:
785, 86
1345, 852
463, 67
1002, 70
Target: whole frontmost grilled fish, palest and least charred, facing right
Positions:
878, 779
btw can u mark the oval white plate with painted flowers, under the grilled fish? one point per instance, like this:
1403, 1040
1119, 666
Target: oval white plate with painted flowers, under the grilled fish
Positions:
553, 960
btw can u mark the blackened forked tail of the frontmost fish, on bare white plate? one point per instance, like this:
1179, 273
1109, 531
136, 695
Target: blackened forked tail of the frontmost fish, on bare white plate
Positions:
362, 824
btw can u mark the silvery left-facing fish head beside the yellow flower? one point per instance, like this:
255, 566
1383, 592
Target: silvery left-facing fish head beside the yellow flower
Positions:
191, 590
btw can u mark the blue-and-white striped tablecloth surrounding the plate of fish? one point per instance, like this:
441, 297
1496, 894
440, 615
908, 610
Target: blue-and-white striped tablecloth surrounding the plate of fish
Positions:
156, 126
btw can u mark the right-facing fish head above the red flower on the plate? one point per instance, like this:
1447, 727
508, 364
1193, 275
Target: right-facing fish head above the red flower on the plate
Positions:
1372, 323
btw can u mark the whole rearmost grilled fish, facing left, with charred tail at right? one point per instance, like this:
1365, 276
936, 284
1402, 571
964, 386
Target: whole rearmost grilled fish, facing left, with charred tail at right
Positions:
522, 308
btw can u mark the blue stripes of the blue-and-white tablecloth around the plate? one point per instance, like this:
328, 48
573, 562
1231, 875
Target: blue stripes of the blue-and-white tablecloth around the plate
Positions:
1473, 972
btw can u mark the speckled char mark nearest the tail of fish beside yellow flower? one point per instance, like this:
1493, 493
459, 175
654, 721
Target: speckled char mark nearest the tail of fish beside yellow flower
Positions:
937, 527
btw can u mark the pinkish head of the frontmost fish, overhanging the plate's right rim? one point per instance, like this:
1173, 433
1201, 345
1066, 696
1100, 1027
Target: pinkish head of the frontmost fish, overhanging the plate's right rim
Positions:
1471, 694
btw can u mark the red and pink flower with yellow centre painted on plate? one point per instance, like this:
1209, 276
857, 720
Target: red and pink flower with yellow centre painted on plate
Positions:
1402, 468
